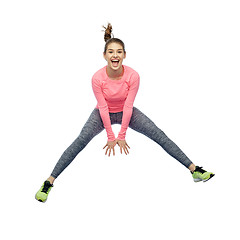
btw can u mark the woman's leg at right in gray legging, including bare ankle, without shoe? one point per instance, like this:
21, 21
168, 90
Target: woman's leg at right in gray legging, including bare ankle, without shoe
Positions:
142, 124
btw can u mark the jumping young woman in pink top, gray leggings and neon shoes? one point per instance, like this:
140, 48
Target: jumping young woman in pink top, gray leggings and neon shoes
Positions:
115, 87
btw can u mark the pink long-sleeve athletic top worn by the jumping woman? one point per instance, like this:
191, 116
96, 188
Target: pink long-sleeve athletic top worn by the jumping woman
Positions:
115, 96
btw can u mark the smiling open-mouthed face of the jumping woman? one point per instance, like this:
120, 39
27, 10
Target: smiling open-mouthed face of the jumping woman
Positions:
114, 56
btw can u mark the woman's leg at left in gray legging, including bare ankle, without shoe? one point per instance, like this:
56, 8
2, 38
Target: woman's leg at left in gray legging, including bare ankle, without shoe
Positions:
92, 127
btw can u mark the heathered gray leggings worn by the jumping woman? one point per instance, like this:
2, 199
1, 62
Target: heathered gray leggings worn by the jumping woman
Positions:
139, 122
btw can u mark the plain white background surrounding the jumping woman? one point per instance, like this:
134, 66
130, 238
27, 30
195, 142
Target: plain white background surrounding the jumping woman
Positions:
187, 54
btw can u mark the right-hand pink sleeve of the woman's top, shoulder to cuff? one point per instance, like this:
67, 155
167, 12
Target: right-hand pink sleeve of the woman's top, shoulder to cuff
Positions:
128, 106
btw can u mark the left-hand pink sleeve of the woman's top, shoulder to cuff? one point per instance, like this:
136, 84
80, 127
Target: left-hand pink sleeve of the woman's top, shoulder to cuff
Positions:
103, 108
